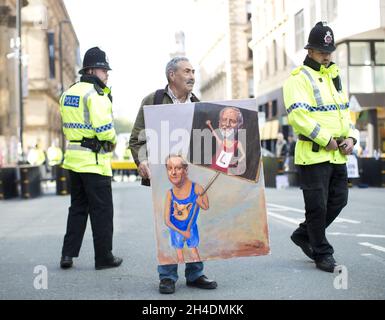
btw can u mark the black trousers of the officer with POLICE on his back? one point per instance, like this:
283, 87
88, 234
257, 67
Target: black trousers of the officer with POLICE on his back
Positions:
90, 194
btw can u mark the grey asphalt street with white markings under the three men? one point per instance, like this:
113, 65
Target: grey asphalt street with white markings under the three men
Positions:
31, 234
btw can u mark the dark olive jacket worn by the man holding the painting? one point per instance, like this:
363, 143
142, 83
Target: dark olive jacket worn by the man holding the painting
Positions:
135, 143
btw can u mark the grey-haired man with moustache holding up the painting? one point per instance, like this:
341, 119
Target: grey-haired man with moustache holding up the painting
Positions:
181, 79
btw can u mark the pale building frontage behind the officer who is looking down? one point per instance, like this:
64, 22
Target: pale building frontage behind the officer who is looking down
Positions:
280, 31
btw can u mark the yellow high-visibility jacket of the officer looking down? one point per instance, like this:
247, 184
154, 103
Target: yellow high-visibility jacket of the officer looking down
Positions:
318, 111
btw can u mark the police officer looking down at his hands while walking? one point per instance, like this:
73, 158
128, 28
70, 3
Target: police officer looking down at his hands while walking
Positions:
318, 110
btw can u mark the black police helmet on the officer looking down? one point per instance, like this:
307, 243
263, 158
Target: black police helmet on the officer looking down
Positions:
321, 38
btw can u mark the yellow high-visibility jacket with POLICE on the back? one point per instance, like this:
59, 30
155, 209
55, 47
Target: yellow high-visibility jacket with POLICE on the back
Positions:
86, 112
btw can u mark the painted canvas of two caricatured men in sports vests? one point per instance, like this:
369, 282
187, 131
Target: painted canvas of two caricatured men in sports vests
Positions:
207, 183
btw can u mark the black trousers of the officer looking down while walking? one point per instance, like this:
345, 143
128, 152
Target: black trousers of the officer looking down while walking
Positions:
325, 191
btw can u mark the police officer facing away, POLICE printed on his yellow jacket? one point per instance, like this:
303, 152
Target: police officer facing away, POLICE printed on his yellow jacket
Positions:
86, 110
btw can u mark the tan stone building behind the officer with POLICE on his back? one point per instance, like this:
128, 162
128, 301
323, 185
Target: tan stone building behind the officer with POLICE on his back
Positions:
42, 23
